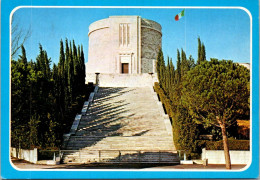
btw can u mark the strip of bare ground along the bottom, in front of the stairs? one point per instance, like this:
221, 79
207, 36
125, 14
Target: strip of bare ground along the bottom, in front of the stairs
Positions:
21, 164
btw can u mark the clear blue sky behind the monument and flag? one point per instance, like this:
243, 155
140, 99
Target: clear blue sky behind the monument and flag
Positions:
225, 32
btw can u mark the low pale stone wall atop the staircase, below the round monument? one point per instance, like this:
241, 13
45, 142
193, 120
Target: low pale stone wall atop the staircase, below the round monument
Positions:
123, 80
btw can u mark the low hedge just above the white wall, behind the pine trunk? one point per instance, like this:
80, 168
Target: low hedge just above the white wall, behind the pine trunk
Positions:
218, 145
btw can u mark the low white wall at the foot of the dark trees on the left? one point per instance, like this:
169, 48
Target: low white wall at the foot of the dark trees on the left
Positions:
26, 154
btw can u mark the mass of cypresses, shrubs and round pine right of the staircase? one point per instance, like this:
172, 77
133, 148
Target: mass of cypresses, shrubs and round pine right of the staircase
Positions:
198, 96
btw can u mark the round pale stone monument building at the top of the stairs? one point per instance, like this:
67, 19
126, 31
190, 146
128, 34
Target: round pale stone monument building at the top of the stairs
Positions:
123, 45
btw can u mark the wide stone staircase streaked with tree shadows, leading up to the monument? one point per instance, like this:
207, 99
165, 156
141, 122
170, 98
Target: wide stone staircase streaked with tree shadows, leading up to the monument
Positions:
123, 125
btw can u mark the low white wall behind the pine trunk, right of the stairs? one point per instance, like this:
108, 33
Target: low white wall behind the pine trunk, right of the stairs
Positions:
217, 156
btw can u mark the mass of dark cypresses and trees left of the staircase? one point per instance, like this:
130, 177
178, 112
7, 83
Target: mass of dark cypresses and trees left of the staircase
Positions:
45, 101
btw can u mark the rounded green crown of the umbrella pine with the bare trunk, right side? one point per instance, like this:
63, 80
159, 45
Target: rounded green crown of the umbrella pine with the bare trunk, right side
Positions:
216, 92
